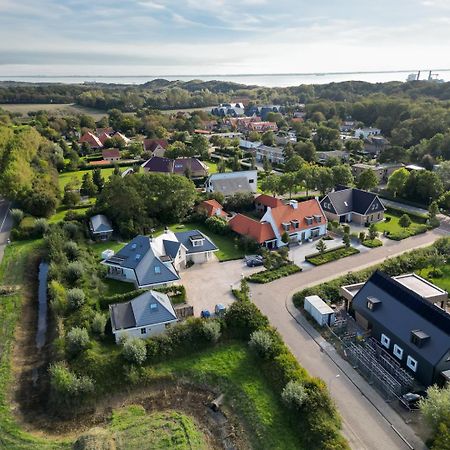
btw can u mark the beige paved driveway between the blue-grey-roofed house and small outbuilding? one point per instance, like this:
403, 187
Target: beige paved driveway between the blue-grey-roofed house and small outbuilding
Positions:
210, 283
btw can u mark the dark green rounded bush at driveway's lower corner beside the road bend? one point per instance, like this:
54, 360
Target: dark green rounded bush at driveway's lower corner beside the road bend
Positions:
243, 318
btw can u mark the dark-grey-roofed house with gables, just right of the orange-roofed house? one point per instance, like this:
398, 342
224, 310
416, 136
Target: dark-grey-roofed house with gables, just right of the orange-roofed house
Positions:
352, 205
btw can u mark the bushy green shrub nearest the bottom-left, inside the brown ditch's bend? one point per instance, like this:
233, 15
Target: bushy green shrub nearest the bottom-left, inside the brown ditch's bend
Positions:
67, 389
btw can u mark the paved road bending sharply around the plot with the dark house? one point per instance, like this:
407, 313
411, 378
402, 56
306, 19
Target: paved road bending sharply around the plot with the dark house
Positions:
365, 425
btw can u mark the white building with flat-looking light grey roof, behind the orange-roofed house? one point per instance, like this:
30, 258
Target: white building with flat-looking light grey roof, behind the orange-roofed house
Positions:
230, 183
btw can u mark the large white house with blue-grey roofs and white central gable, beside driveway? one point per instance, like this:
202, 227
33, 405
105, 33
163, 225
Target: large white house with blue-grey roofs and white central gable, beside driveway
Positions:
149, 262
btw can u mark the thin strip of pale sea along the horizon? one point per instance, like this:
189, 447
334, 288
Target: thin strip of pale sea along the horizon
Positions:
269, 80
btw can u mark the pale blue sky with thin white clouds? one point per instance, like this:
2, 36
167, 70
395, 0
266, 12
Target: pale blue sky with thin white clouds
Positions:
184, 37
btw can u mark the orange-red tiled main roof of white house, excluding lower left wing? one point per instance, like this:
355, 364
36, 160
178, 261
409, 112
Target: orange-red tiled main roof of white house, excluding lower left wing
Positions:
286, 214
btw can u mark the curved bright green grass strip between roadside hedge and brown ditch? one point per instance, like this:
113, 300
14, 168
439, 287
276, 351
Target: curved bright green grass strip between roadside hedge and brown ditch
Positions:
232, 369
